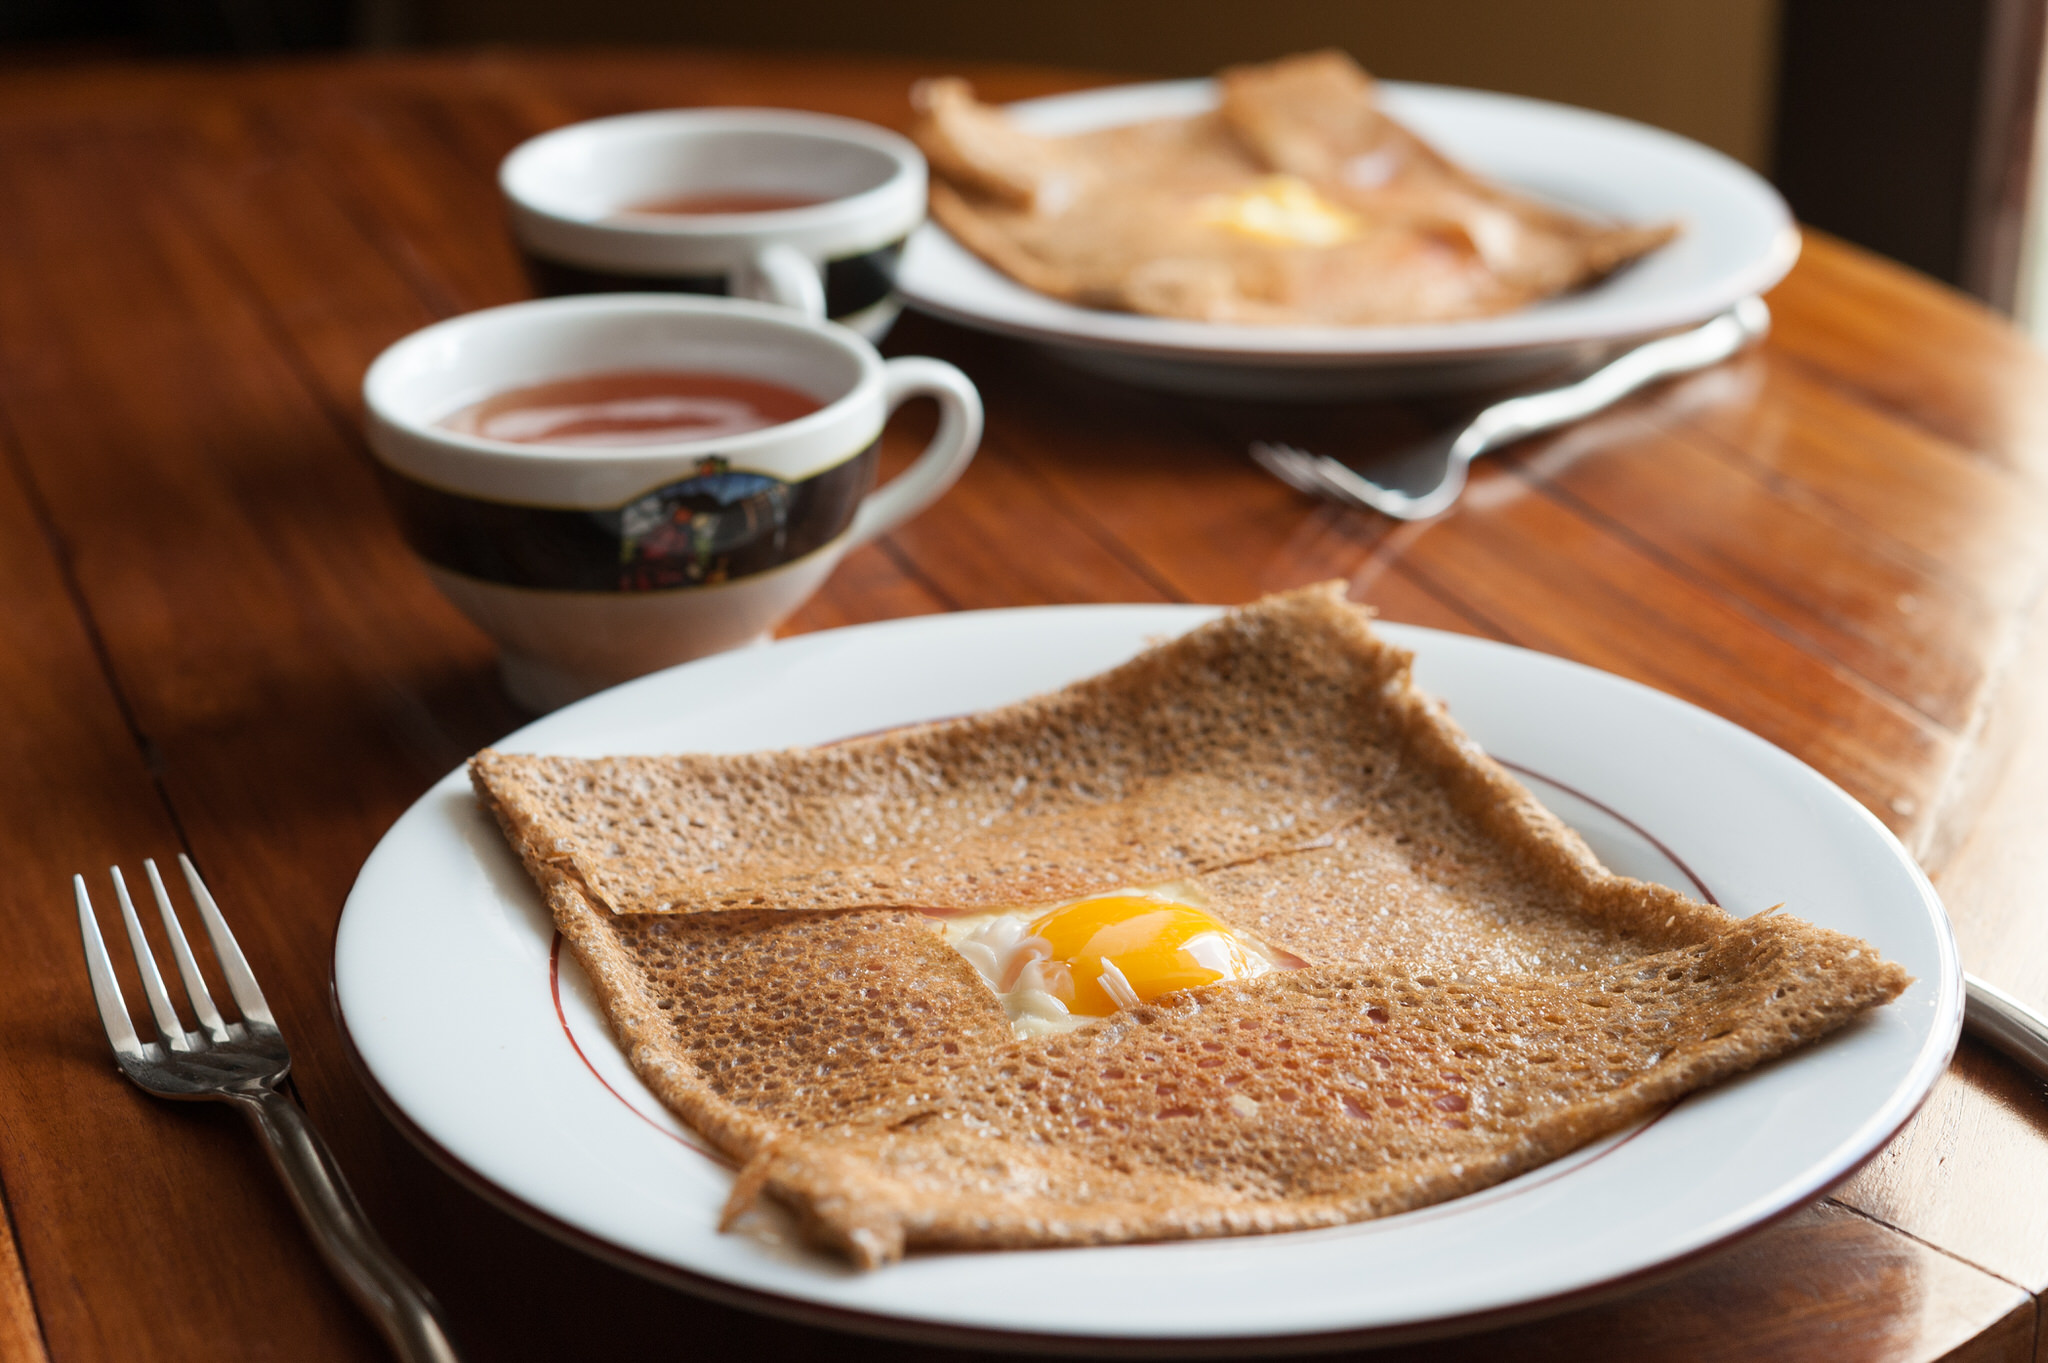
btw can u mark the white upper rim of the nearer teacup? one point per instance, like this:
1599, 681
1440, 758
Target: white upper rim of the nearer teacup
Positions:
407, 435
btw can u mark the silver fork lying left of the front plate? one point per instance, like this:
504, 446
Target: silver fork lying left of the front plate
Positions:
245, 1063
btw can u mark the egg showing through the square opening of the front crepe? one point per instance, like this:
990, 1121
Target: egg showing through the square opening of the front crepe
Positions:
1060, 967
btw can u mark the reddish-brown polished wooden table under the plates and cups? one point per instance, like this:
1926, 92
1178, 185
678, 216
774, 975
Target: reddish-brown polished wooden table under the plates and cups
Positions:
216, 642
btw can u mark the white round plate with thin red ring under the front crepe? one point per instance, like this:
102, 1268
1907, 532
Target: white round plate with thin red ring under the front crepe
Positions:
445, 983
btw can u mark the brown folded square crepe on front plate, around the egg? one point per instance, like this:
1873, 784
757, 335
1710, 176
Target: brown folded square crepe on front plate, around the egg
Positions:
1478, 994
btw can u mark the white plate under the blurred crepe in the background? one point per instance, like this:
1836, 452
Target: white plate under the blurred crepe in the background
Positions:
1738, 240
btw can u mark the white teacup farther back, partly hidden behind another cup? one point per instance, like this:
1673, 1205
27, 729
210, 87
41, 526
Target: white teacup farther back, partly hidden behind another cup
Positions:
572, 193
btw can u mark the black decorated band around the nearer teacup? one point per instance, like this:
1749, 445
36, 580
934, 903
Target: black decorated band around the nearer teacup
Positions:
712, 527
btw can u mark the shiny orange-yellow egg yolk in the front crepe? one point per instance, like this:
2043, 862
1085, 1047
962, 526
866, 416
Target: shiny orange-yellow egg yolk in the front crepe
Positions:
1132, 949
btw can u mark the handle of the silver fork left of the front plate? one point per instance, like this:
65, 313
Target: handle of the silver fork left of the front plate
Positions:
382, 1286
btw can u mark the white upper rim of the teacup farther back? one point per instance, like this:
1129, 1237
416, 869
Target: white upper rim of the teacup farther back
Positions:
548, 222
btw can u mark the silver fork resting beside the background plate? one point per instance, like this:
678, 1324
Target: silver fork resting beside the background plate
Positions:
1428, 478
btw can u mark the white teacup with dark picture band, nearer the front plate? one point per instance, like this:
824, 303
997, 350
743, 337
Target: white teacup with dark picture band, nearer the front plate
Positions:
593, 566
